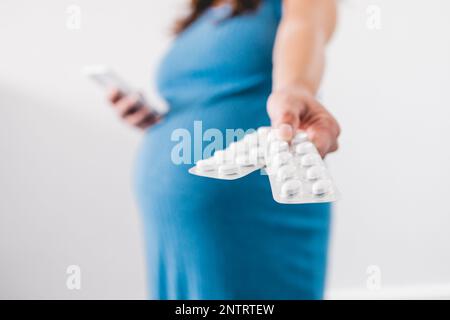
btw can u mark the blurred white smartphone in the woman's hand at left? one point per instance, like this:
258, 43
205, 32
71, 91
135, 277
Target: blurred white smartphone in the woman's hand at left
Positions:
108, 79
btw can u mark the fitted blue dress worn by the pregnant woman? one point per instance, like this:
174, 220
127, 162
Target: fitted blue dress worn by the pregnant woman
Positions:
215, 239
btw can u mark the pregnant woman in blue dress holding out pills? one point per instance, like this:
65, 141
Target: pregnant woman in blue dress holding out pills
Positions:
234, 64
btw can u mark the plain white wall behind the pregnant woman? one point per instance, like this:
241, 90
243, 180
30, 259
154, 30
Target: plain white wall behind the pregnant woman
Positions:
66, 161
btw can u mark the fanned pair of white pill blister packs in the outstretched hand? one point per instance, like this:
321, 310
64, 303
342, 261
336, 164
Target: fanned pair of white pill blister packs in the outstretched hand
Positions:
296, 172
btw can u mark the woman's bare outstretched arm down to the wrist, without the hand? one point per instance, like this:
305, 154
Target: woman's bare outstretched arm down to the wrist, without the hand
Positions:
299, 52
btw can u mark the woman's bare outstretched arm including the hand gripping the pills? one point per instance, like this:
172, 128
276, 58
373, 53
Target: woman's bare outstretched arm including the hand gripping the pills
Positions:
299, 56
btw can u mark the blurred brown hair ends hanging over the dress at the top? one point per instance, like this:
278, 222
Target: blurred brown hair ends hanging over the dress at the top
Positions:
198, 7
